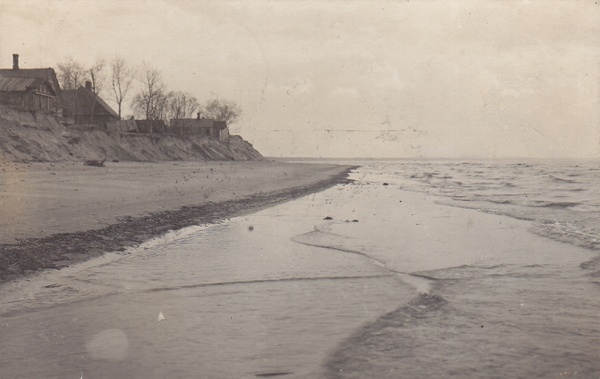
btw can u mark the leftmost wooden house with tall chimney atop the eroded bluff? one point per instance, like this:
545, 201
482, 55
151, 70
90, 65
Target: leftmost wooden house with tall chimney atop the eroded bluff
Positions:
30, 89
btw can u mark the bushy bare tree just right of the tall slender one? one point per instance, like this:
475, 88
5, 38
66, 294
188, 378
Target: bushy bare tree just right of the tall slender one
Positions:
151, 101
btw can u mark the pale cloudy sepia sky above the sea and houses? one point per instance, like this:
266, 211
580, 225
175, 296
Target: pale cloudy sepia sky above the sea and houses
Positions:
392, 79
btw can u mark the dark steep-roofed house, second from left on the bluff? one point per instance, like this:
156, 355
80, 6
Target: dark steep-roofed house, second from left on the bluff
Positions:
86, 107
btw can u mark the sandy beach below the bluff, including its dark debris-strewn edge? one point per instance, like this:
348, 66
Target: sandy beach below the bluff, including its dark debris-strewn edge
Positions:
55, 214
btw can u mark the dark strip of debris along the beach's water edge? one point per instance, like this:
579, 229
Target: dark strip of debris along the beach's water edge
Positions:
58, 250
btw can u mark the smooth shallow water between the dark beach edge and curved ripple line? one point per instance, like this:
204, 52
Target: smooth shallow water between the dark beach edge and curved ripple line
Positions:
239, 299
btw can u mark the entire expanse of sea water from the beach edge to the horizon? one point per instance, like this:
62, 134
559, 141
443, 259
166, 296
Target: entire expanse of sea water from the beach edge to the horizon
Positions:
415, 269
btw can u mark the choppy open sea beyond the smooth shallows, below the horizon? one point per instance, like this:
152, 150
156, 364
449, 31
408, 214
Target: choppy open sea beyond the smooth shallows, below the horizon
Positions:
561, 197
